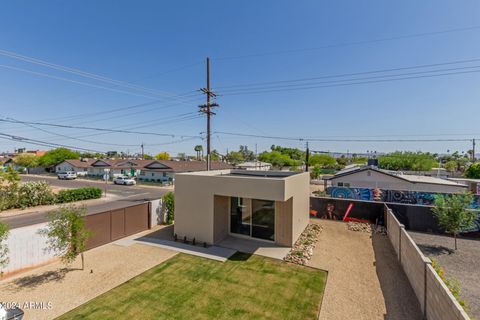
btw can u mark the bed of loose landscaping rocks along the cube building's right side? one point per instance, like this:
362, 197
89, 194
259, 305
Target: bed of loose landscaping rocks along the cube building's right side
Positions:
302, 250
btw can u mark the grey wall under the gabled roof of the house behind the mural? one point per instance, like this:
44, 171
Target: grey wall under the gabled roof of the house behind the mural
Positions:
383, 181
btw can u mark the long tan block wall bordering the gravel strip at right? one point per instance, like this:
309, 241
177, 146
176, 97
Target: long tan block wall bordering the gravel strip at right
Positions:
436, 300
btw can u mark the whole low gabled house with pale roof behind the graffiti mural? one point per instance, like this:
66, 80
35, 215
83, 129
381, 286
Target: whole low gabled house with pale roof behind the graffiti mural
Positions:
371, 178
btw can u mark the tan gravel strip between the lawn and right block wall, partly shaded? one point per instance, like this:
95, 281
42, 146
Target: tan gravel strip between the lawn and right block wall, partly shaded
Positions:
365, 280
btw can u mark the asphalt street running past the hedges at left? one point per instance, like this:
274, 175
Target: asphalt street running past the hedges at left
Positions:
124, 196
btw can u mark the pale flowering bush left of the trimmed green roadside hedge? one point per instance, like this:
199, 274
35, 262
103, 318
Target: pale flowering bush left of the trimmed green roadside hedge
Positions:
34, 193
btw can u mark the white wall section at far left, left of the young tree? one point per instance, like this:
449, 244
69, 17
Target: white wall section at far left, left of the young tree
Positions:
26, 248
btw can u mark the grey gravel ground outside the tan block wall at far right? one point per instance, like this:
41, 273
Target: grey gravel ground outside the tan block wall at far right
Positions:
461, 264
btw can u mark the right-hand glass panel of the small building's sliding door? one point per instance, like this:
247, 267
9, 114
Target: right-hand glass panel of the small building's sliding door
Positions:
263, 219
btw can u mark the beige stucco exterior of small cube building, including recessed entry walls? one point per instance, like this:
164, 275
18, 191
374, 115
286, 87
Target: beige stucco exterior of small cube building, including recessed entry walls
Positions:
202, 202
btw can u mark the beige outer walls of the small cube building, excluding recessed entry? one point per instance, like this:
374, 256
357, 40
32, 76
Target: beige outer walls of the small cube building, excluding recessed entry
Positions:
194, 199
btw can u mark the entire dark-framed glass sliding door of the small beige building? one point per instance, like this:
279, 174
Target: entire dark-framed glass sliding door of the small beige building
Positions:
253, 217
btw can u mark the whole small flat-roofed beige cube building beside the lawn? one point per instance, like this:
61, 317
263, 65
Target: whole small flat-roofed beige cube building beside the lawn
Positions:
211, 206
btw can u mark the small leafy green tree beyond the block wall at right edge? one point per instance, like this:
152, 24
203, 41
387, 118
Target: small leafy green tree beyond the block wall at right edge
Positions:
453, 214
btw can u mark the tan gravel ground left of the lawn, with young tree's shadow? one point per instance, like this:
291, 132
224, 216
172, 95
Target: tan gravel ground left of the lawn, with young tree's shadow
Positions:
50, 291
